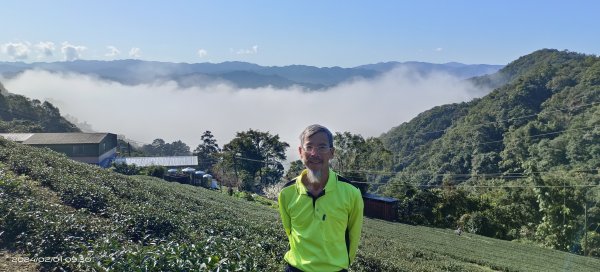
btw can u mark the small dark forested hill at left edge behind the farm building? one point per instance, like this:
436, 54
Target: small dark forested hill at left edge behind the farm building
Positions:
19, 114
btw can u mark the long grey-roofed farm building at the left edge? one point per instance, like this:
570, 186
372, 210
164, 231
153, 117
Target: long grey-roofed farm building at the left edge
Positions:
93, 148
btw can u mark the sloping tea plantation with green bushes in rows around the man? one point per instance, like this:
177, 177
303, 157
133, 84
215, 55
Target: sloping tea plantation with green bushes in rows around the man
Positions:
97, 220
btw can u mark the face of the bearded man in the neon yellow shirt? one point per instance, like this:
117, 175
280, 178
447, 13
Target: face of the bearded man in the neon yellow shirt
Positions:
316, 152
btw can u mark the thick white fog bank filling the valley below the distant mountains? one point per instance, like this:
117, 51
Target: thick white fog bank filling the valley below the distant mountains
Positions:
366, 107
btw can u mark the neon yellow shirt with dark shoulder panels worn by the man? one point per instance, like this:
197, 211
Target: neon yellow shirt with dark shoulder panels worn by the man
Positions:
323, 231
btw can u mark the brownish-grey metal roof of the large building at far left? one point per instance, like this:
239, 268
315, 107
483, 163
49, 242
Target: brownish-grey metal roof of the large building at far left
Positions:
65, 138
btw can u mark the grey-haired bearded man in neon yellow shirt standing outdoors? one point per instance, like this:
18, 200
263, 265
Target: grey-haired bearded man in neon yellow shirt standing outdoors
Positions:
321, 211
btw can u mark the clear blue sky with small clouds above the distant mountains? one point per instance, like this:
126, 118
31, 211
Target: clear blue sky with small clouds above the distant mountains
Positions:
276, 33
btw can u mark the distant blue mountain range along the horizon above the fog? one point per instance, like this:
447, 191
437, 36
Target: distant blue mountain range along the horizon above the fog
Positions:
239, 74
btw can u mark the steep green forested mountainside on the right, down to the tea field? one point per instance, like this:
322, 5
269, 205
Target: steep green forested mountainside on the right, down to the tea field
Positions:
523, 160
